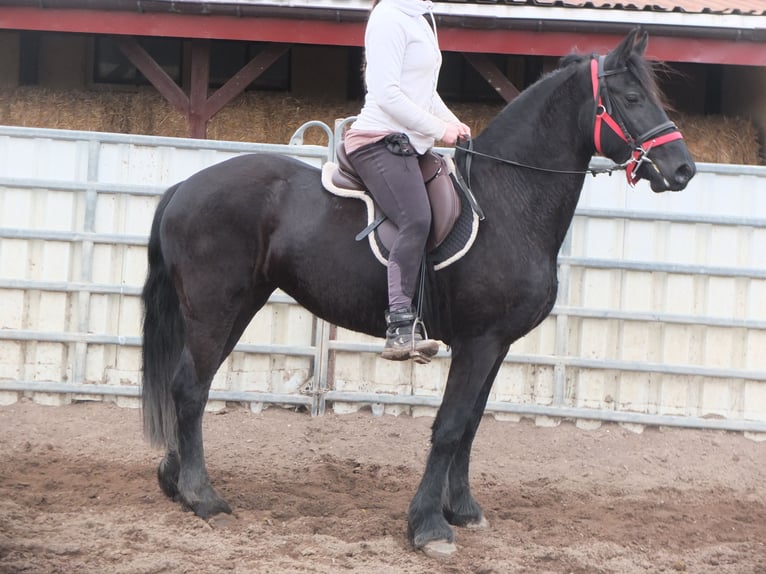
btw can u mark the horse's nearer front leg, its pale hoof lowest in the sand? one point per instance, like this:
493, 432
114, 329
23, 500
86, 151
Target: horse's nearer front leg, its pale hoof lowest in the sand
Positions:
472, 363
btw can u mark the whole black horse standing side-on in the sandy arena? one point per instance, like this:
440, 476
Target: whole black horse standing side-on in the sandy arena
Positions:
223, 240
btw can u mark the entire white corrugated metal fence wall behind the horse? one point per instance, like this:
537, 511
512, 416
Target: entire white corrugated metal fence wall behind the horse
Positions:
661, 317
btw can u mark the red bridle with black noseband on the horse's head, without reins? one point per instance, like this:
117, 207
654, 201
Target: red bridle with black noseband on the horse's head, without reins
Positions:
640, 146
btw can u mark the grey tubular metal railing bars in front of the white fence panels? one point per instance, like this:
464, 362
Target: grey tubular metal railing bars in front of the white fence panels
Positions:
319, 391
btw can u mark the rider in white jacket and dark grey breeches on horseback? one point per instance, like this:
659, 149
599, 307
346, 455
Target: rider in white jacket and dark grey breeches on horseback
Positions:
401, 118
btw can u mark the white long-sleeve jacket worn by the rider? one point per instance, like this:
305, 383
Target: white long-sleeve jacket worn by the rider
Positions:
403, 62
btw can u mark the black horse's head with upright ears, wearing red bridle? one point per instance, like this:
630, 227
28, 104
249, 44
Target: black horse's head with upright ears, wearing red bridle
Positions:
631, 126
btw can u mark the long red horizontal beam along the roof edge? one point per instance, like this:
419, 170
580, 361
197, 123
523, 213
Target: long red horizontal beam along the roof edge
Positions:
334, 33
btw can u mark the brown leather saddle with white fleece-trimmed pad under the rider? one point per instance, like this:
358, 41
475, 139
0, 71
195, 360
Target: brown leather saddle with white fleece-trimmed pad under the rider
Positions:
454, 223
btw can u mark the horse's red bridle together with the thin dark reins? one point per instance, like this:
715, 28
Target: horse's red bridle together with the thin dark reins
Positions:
640, 147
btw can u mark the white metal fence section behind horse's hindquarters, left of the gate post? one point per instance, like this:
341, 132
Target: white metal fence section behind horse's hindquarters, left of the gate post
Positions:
75, 210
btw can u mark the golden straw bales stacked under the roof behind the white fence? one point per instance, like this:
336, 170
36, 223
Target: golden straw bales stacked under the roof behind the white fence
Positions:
273, 117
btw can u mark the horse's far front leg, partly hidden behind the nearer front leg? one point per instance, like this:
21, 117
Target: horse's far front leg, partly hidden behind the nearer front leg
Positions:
460, 507
